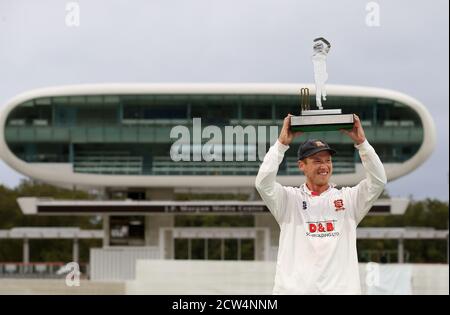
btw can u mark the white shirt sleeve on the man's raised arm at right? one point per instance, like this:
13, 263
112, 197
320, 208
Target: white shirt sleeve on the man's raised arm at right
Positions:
368, 190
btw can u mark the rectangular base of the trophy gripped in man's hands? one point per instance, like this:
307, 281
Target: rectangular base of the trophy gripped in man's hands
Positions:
321, 122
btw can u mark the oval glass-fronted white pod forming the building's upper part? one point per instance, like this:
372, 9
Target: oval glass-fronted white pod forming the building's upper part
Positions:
118, 135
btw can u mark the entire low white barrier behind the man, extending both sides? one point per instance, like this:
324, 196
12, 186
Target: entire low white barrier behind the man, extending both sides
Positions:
256, 277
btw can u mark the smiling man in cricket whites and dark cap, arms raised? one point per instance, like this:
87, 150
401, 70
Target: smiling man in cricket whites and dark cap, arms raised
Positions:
317, 248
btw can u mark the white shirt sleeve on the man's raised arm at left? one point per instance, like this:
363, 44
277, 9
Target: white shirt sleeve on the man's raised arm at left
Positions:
272, 193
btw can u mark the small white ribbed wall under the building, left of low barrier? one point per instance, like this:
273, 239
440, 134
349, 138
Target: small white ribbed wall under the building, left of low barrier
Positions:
118, 263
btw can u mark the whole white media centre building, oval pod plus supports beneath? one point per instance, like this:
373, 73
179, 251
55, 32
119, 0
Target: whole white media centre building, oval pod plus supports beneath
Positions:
145, 146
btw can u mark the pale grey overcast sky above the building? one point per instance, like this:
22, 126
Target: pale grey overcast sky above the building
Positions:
235, 41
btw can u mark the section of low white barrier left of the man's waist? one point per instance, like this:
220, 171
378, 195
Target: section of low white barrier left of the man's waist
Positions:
202, 277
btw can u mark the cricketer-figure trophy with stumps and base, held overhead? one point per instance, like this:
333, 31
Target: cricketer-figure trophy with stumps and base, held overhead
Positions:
320, 119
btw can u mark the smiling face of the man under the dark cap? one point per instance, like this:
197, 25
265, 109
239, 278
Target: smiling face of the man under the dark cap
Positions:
317, 168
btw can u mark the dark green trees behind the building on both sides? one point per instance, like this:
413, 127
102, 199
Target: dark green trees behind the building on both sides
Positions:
431, 213
